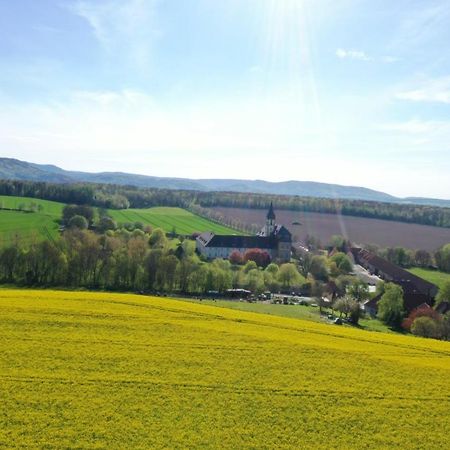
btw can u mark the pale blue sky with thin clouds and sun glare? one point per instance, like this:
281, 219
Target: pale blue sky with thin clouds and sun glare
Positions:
353, 92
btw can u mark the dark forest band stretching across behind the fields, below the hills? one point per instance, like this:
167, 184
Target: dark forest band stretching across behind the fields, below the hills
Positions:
118, 197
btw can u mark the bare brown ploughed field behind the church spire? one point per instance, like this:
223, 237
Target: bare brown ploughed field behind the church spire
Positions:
359, 230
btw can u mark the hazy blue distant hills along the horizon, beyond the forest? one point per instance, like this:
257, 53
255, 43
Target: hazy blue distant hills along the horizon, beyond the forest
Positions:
21, 170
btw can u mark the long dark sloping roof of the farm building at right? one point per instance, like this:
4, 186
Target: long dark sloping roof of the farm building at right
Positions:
409, 281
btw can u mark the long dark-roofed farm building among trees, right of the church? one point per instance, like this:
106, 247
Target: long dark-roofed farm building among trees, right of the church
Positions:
416, 290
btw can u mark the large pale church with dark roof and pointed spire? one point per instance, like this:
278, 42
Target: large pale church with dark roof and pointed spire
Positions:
275, 239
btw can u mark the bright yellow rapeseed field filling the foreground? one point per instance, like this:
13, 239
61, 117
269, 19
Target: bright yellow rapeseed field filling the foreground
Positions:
110, 371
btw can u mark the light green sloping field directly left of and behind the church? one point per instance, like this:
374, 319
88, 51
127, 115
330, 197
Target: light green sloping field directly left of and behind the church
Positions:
184, 222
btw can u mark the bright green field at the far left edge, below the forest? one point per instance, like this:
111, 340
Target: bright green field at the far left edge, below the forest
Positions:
26, 226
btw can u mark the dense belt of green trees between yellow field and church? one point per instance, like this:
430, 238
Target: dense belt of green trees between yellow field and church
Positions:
123, 260
